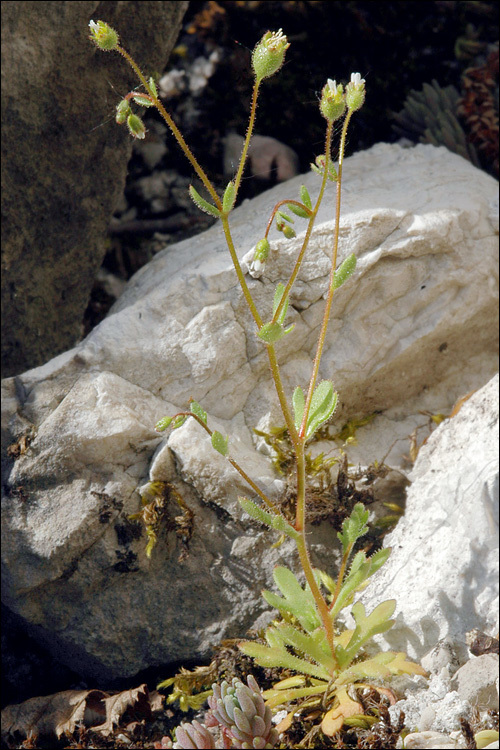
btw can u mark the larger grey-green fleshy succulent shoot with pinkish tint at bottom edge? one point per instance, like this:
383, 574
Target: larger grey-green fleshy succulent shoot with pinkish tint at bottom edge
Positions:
242, 711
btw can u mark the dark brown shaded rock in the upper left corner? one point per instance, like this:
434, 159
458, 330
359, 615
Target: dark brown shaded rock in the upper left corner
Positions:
62, 173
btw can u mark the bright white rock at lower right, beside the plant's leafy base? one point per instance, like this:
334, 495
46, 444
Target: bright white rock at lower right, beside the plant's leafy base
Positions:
444, 564
